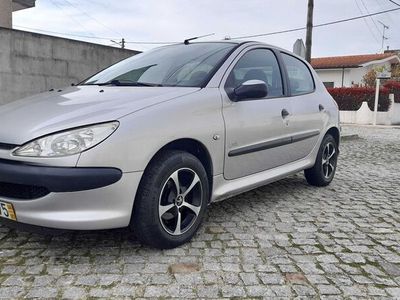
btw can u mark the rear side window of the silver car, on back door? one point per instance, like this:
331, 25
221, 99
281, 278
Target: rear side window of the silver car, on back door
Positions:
300, 78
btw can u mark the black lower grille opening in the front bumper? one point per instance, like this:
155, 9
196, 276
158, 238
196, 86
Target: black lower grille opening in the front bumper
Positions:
24, 192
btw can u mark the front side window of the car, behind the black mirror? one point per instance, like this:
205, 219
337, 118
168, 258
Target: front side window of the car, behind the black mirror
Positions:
258, 64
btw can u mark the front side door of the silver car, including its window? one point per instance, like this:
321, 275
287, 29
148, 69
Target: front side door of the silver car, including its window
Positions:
257, 136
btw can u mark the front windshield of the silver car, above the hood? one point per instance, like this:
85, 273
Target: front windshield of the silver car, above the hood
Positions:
177, 65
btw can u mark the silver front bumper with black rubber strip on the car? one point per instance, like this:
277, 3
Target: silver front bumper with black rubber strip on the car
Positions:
73, 198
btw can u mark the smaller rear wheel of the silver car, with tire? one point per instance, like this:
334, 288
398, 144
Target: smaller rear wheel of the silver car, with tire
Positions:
322, 173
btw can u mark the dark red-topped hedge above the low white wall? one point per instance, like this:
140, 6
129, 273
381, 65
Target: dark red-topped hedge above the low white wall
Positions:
352, 98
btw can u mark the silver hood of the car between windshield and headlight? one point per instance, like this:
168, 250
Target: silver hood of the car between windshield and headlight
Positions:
29, 118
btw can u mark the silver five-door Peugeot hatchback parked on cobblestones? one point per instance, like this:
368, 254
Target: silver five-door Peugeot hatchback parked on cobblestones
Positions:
151, 141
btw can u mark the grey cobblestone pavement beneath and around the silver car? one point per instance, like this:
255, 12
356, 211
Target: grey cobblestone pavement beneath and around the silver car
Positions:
284, 240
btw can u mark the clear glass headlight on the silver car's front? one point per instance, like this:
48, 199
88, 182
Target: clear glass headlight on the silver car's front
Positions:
67, 142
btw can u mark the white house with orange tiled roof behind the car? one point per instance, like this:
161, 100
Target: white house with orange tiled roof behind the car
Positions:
347, 71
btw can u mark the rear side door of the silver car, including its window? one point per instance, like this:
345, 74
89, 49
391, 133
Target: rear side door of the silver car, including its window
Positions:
308, 113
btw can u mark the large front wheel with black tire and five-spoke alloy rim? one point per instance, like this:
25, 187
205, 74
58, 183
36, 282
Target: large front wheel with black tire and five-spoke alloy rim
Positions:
162, 217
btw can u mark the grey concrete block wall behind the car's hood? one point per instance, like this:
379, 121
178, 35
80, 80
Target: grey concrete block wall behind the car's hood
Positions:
31, 63
